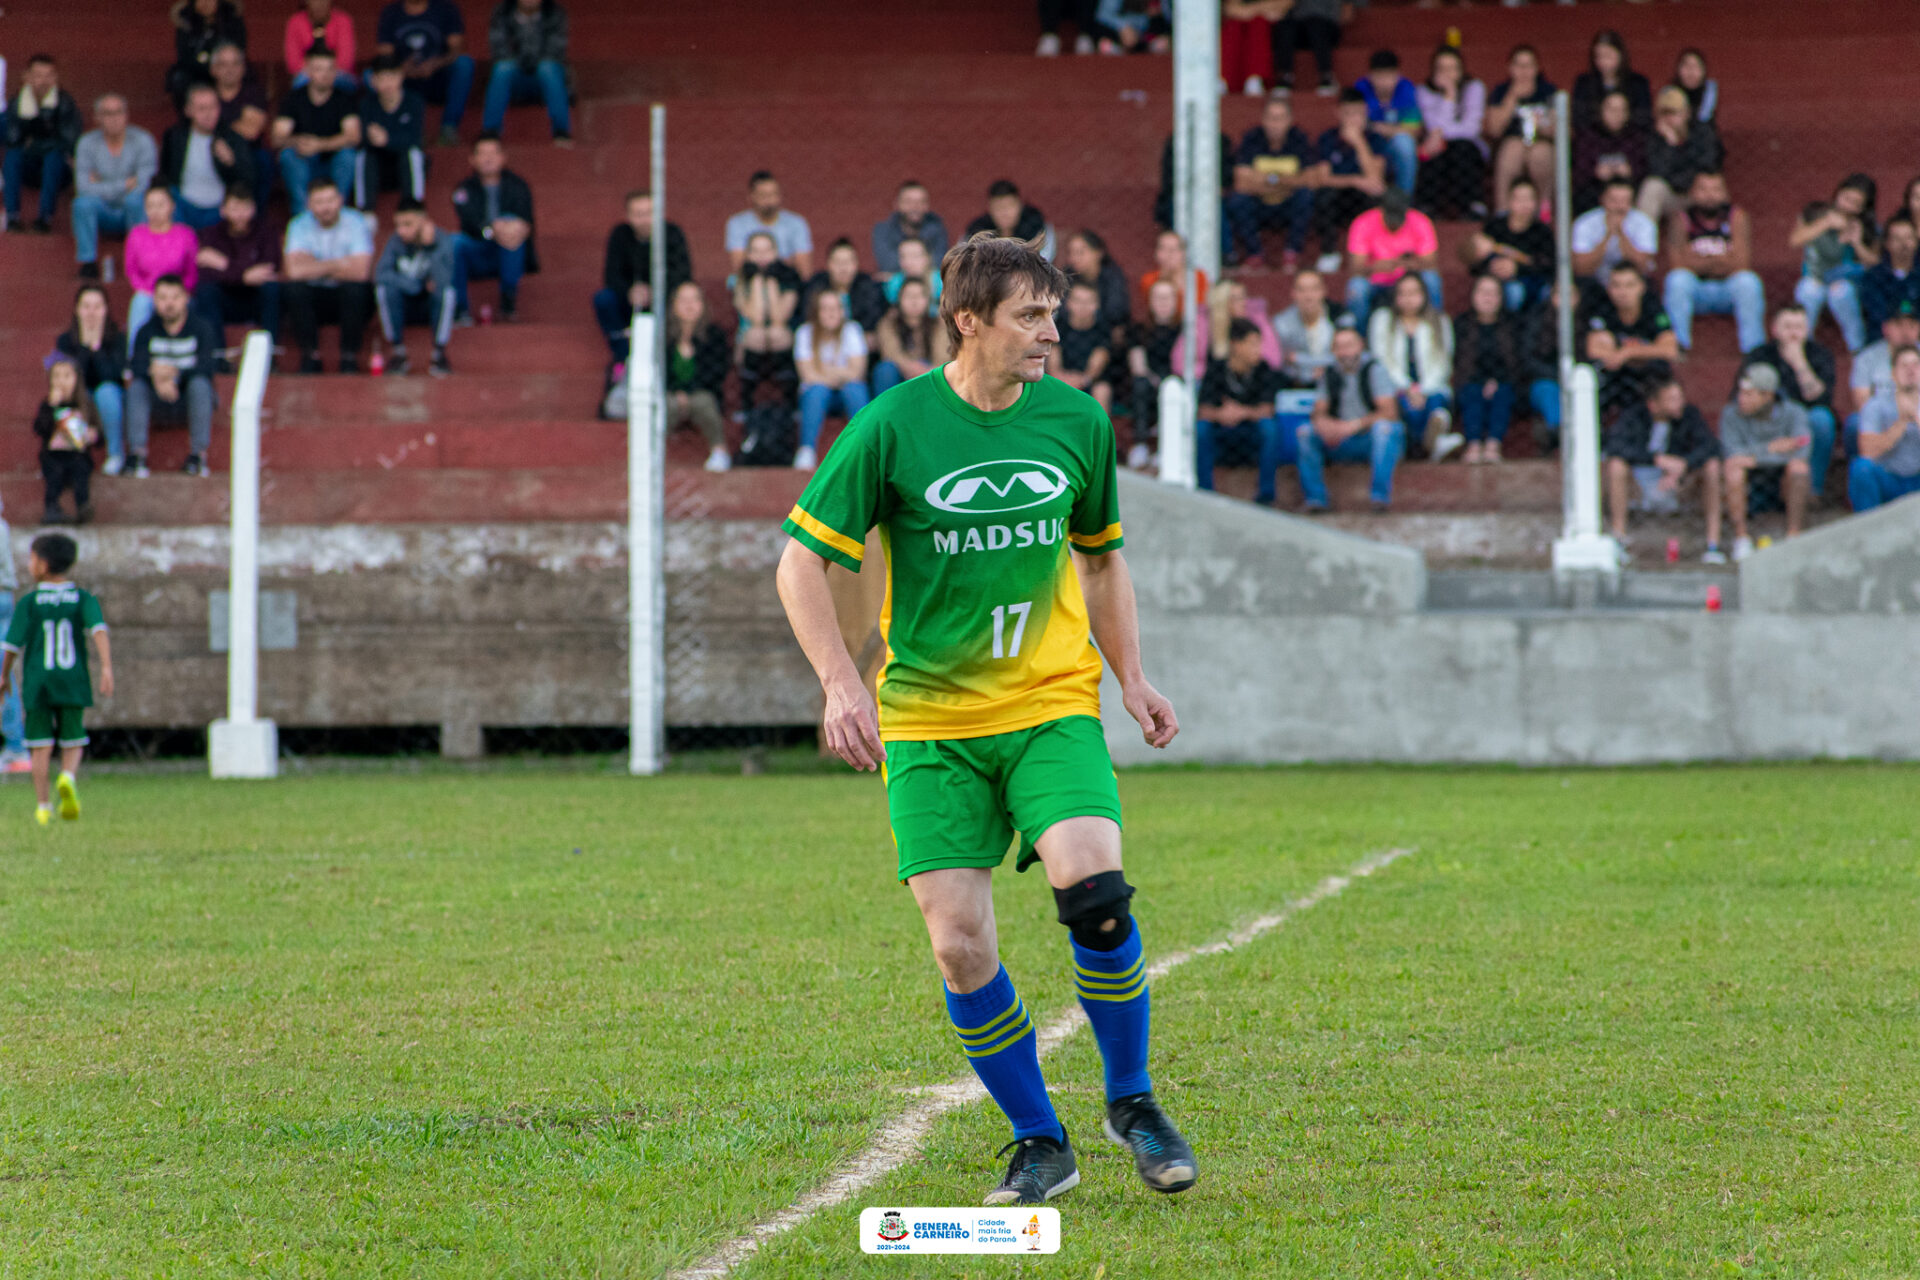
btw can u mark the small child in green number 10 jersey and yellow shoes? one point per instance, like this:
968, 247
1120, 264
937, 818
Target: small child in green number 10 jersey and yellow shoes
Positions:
45, 638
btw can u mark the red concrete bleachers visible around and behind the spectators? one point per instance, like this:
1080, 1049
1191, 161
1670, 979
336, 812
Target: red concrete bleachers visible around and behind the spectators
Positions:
844, 101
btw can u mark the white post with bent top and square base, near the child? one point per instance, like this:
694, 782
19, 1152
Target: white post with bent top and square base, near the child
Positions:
245, 746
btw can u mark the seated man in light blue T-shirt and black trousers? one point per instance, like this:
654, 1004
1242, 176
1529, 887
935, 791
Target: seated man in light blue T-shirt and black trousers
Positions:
329, 275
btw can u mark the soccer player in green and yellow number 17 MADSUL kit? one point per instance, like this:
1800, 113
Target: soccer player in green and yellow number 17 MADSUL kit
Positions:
982, 477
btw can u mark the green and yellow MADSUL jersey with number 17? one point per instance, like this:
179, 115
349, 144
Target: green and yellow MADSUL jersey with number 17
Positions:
984, 621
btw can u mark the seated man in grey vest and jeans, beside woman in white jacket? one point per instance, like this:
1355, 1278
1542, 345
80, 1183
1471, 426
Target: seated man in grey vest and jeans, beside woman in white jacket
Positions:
1356, 419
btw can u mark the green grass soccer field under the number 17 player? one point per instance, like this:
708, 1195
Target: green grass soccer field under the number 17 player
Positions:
562, 1024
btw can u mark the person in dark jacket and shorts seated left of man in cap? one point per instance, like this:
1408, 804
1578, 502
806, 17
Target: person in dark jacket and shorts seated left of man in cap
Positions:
1664, 448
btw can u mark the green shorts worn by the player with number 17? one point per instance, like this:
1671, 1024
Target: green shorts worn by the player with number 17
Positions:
959, 803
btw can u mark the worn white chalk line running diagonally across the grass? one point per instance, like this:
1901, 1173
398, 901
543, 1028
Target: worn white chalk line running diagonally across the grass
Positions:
900, 1141
